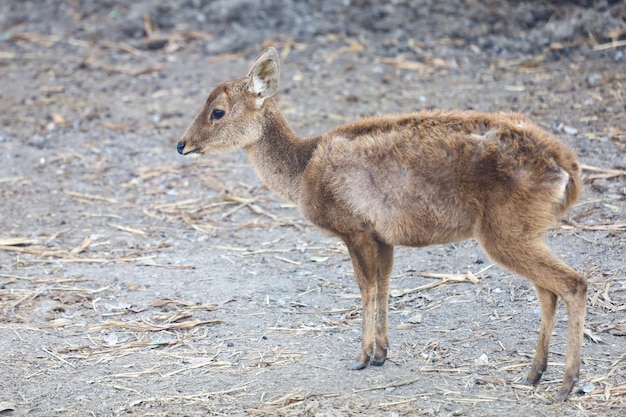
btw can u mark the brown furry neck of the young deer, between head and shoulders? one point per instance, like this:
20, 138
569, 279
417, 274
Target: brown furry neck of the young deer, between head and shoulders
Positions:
280, 156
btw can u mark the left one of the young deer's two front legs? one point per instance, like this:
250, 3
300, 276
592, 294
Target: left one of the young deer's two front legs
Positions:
364, 252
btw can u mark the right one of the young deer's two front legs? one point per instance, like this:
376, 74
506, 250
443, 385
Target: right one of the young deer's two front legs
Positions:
385, 264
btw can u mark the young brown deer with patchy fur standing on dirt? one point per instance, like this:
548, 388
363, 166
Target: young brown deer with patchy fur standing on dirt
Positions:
415, 180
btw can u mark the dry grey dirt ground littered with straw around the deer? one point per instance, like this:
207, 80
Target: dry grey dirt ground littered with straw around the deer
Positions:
136, 282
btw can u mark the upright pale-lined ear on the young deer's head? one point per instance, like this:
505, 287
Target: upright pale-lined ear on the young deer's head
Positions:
264, 75
